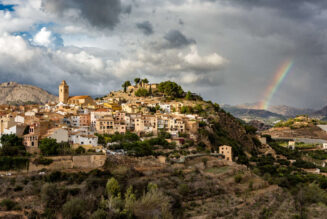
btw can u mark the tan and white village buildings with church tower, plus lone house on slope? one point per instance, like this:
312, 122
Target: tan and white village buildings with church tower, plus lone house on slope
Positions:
88, 124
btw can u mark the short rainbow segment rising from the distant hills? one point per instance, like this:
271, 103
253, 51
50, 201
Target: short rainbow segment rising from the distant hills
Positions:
282, 72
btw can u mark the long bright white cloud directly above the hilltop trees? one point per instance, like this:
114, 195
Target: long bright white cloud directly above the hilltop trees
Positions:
186, 67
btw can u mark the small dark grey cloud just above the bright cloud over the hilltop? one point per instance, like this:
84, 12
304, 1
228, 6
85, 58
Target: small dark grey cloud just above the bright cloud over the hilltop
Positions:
175, 39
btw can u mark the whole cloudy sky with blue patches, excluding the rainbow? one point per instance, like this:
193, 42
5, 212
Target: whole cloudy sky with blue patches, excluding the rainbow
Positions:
228, 51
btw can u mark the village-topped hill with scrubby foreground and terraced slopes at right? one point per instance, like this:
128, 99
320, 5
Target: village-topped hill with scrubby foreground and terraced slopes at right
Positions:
155, 151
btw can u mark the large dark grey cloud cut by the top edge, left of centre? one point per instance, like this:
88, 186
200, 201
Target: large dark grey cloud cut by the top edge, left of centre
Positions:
99, 13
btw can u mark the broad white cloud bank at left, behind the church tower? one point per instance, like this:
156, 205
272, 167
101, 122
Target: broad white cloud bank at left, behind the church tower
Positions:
21, 62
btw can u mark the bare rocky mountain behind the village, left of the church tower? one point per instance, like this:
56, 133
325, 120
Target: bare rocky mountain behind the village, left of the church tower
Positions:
14, 93
